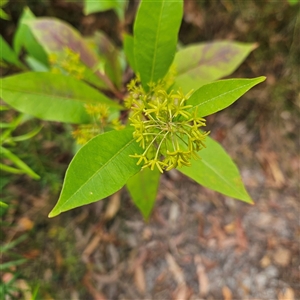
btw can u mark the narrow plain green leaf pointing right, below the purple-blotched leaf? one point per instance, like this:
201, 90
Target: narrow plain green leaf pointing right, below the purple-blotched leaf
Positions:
218, 95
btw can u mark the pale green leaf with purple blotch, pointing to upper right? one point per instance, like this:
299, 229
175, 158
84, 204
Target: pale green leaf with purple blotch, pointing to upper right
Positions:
202, 63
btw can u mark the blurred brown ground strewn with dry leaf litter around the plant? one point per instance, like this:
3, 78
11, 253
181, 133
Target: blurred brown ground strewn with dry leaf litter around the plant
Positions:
197, 244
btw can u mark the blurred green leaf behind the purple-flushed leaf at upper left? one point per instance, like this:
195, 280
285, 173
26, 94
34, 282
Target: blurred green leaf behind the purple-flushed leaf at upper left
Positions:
24, 38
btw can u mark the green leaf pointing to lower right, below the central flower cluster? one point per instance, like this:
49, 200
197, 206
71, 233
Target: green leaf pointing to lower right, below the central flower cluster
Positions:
217, 171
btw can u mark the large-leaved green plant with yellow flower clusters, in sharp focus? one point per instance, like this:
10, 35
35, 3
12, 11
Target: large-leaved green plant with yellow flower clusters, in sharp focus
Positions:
153, 126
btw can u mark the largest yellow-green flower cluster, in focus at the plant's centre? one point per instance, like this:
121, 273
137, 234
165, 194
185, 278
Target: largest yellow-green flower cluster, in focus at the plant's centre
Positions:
165, 127
